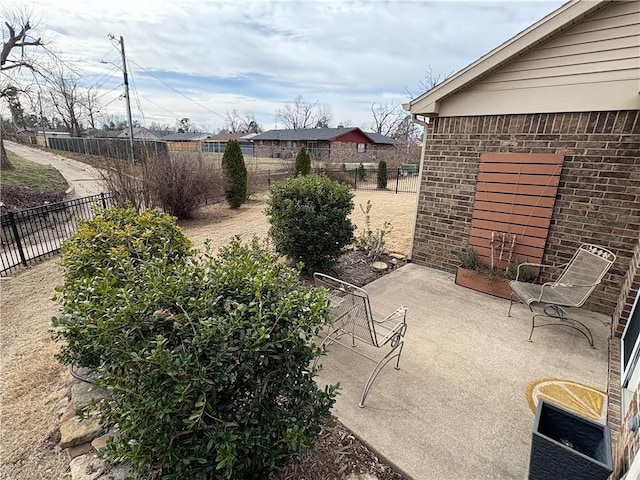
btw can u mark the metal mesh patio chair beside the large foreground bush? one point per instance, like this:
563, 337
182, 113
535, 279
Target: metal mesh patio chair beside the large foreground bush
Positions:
352, 316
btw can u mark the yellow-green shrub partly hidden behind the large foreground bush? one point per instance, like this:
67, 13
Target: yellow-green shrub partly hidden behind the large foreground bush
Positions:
101, 259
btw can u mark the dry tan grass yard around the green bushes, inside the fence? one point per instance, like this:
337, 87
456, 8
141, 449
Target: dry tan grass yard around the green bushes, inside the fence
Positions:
32, 382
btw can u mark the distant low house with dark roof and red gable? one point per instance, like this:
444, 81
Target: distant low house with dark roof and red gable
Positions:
335, 145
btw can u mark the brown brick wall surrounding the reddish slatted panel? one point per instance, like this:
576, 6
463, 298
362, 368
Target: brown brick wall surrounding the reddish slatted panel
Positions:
598, 199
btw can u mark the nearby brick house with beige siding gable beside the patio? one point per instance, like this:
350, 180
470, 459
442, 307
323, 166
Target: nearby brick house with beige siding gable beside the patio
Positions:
566, 88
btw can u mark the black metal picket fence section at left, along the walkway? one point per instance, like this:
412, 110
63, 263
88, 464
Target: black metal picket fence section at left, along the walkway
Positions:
36, 233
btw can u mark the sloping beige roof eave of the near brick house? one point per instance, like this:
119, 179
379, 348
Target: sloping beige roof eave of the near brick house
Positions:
560, 19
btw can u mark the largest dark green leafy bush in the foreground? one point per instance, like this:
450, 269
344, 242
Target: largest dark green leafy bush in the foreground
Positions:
207, 362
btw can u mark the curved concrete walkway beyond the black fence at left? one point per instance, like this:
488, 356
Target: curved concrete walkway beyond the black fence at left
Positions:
84, 179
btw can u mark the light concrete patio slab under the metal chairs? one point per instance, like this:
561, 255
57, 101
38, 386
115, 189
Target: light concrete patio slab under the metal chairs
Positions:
457, 408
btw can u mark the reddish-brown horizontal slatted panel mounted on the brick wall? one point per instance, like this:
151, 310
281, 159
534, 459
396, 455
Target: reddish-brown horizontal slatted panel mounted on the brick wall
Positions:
515, 194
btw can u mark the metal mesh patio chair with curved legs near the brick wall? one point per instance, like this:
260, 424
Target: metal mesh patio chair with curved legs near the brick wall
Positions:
580, 277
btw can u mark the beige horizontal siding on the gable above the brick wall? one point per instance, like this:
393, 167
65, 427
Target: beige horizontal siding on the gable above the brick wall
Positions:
592, 66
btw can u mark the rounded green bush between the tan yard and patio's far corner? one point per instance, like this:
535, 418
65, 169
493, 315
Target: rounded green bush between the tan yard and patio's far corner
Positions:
309, 219
